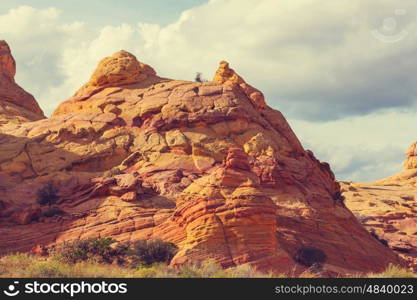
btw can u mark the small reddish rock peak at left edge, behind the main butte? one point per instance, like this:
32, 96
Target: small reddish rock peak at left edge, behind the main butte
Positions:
16, 105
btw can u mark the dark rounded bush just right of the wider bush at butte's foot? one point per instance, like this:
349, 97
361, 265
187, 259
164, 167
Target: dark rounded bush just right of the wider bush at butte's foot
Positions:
152, 251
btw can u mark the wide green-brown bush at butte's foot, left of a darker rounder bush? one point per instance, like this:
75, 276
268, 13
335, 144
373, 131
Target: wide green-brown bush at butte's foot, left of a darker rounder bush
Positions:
82, 250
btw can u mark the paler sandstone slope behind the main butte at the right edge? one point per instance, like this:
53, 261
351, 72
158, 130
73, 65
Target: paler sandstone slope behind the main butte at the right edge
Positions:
388, 207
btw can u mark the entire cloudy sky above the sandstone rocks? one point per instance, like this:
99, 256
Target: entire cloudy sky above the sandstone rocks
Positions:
343, 73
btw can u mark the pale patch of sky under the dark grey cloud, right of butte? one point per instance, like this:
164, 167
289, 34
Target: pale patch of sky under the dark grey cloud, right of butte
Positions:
362, 148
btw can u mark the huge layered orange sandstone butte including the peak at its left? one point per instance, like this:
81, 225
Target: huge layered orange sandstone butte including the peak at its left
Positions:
206, 165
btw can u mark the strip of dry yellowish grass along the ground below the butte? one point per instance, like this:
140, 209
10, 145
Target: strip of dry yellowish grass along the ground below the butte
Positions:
25, 266
